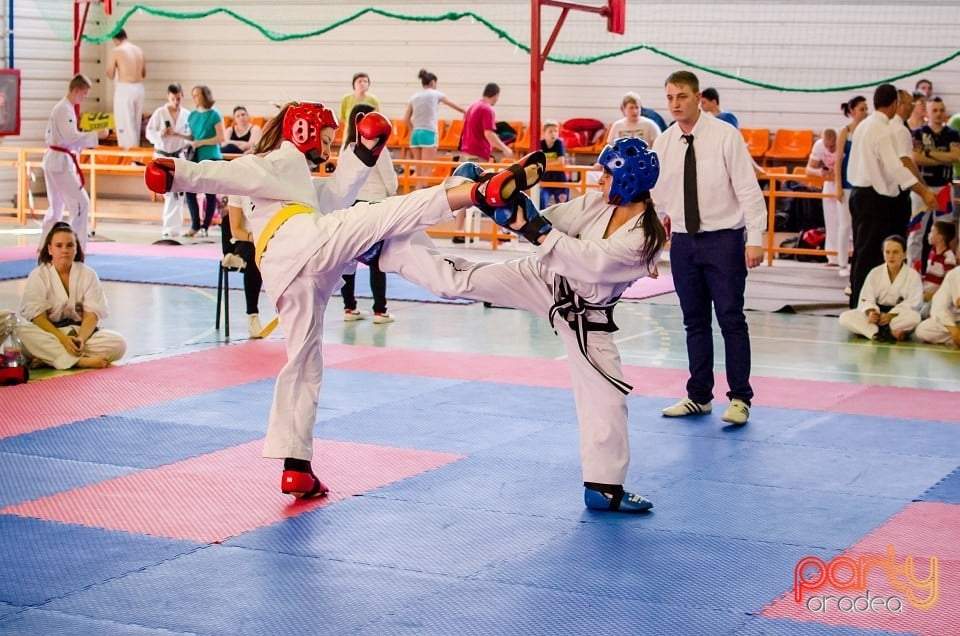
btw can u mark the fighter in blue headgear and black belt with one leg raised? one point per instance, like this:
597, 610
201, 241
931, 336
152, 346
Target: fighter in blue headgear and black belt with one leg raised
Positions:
589, 251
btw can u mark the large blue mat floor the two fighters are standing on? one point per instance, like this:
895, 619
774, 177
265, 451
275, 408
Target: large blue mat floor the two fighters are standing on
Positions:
500, 537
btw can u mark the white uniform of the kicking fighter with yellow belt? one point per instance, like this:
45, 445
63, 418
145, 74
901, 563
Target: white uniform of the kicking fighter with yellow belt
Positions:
303, 261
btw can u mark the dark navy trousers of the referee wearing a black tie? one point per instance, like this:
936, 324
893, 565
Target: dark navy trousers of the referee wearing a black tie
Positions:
710, 273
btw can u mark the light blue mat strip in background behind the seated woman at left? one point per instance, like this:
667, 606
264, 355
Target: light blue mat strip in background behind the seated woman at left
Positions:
203, 272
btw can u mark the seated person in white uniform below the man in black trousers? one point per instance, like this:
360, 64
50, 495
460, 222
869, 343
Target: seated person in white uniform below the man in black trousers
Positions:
890, 298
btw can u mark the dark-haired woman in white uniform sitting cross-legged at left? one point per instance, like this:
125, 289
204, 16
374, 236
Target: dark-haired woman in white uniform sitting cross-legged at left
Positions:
63, 303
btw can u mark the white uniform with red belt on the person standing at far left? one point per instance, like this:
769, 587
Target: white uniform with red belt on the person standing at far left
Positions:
61, 172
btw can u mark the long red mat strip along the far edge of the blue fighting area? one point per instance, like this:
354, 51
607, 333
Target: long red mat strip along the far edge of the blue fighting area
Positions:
56, 401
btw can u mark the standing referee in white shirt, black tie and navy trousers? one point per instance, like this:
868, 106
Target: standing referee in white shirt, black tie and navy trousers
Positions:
708, 187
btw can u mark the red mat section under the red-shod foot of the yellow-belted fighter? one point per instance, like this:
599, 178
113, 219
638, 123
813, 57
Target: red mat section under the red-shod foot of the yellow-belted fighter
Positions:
216, 496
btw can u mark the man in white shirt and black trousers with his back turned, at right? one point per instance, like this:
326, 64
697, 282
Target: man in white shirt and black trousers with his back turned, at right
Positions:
877, 176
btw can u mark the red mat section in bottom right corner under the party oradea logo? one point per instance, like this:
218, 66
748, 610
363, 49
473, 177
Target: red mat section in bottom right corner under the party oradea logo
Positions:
918, 533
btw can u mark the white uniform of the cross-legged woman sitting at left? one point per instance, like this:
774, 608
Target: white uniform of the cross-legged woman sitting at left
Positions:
44, 294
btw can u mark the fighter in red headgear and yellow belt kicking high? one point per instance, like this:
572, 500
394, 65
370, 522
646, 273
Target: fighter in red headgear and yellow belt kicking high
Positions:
305, 234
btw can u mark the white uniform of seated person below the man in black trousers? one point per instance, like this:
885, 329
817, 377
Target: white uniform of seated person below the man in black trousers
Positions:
904, 295
